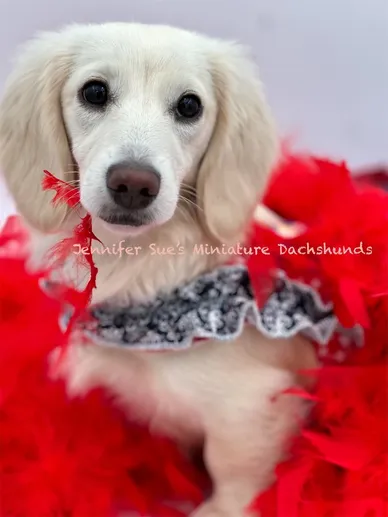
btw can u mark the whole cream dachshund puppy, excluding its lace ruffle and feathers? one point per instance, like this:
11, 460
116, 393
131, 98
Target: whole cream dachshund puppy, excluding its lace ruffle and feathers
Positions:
169, 139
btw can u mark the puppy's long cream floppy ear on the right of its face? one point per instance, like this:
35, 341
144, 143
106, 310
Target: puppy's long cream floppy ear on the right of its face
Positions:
242, 150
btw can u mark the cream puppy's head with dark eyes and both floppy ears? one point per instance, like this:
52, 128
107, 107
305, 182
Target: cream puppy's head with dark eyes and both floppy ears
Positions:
140, 115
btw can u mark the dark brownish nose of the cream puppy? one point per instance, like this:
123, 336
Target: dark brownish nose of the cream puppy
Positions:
132, 186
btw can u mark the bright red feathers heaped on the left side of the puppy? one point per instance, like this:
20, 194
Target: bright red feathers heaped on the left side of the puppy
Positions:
59, 456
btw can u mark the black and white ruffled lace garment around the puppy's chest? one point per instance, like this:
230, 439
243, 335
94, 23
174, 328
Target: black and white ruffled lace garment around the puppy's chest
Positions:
216, 305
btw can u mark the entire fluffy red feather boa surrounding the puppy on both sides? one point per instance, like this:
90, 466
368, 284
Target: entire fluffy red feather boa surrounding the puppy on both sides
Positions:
83, 458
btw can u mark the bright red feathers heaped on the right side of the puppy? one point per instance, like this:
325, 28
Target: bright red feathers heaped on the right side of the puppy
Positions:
338, 466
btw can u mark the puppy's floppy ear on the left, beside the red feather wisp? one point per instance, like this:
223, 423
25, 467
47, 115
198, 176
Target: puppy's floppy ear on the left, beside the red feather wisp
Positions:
32, 132
